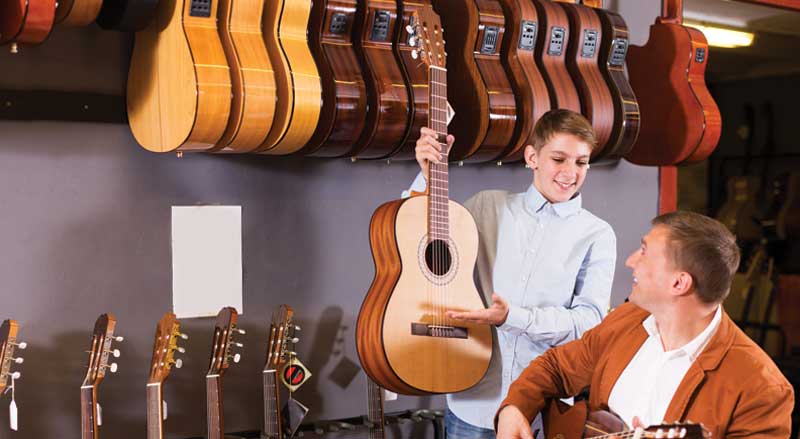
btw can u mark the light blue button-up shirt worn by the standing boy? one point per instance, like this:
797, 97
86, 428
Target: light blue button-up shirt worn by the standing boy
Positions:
553, 264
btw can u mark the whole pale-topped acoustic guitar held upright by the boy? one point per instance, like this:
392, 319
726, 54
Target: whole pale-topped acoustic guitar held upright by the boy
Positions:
405, 341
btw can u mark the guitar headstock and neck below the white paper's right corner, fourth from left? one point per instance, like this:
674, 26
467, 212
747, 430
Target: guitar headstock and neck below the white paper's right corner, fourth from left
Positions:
221, 357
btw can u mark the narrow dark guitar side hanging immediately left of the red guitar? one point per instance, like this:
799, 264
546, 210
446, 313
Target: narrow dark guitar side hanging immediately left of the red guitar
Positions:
613, 49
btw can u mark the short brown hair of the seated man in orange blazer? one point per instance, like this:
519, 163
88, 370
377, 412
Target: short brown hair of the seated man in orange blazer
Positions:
704, 248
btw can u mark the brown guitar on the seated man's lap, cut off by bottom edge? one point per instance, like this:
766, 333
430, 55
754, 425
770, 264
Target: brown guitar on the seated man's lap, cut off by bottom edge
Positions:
562, 421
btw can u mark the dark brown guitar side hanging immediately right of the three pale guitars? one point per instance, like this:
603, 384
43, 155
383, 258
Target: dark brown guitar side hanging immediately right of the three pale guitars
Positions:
344, 94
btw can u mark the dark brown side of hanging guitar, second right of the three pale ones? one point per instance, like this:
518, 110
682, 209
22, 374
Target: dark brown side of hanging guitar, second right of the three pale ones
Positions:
388, 99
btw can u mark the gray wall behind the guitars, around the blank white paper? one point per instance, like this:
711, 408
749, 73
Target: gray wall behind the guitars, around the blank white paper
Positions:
85, 229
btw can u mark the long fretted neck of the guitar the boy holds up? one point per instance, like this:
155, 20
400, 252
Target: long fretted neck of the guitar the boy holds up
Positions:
438, 176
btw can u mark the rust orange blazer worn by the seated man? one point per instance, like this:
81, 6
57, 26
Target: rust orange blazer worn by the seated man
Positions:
733, 387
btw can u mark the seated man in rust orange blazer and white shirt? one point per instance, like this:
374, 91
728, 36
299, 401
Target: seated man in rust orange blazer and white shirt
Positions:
672, 353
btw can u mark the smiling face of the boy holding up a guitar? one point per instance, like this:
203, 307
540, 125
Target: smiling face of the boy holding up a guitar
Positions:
559, 167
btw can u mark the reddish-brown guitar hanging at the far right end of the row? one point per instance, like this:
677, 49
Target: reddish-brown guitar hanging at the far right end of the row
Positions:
680, 121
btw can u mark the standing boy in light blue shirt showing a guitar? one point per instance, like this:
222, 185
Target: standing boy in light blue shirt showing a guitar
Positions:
546, 262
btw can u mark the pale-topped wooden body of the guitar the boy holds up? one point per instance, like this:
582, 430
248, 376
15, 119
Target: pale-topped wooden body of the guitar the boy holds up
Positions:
406, 291
